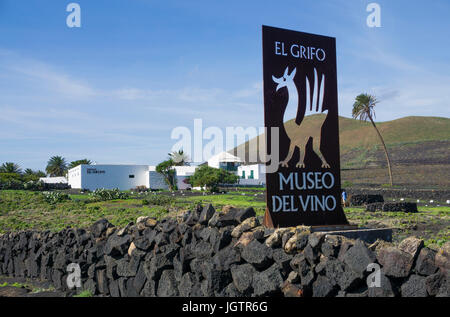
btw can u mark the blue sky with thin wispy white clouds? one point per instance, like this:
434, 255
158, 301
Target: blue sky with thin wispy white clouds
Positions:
113, 90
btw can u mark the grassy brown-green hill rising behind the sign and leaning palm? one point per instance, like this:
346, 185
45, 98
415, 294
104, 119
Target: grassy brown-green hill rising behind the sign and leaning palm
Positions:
419, 148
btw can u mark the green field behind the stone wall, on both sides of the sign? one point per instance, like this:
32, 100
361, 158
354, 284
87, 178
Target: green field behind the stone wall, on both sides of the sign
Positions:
25, 210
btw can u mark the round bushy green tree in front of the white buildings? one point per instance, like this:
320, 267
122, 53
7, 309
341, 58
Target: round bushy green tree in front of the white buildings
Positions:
211, 177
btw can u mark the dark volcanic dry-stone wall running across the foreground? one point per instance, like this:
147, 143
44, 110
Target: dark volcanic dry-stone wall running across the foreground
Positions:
227, 253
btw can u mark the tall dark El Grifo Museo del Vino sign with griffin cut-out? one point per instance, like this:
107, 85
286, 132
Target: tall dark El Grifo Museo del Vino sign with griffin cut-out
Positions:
300, 80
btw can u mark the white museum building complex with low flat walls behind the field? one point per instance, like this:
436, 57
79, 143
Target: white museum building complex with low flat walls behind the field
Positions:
126, 177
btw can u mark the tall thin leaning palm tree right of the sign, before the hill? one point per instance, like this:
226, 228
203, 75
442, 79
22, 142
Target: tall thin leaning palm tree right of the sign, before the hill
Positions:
363, 109
